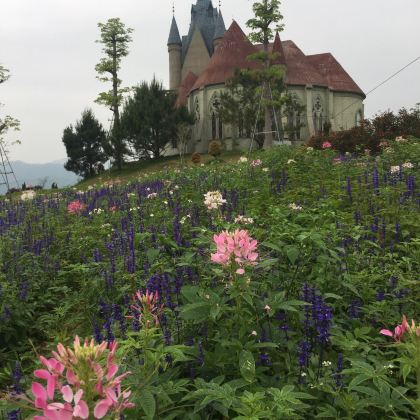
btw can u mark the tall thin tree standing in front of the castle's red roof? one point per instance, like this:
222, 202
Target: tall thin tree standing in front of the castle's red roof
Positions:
264, 25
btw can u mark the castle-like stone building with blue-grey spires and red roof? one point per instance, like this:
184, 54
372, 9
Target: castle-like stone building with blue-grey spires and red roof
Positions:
201, 62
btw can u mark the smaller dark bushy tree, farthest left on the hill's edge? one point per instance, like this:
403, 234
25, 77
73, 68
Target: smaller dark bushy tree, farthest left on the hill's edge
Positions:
84, 145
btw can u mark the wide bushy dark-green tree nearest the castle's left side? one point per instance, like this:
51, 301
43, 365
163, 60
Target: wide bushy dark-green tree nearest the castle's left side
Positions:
150, 119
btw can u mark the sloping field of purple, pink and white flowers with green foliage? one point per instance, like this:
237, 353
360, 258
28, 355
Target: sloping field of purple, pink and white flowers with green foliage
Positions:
269, 288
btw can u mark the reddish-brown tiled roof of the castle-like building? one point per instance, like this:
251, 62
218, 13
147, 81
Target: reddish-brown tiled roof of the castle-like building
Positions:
234, 48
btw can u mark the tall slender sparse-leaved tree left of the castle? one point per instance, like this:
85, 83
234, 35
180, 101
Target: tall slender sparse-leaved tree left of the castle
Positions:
115, 38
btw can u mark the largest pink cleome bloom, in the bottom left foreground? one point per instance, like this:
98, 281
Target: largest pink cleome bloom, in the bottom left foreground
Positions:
90, 382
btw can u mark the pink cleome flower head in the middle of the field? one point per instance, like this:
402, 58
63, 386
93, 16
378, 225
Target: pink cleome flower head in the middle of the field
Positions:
235, 248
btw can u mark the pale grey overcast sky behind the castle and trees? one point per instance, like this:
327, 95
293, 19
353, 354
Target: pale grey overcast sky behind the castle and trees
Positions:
49, 47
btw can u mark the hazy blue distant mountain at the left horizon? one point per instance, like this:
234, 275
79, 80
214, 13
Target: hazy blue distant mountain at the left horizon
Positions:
36, 173
